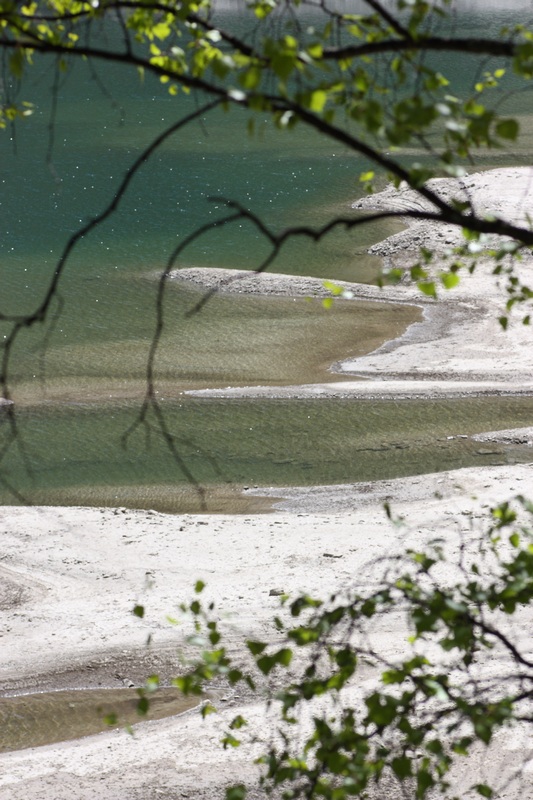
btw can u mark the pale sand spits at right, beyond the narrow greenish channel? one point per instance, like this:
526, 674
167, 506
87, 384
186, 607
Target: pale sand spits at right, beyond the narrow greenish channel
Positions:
460, 347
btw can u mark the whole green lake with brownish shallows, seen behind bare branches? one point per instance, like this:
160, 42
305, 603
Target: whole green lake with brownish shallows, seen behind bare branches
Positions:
77, 392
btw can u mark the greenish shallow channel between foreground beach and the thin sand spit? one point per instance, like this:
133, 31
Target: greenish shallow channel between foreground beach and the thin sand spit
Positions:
227, 444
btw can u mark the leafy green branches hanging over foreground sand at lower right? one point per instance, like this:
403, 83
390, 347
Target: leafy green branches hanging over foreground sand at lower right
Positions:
459, 676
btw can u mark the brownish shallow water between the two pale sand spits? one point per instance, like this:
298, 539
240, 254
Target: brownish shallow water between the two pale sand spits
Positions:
239, 340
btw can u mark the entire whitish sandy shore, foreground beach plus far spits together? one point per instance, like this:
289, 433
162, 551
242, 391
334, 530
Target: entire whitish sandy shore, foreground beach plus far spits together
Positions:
69, 577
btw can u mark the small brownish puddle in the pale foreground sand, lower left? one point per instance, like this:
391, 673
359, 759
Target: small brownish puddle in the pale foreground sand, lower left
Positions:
33, 720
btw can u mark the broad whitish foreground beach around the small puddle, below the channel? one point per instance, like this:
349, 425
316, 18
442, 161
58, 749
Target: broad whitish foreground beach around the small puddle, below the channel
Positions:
74, 625
